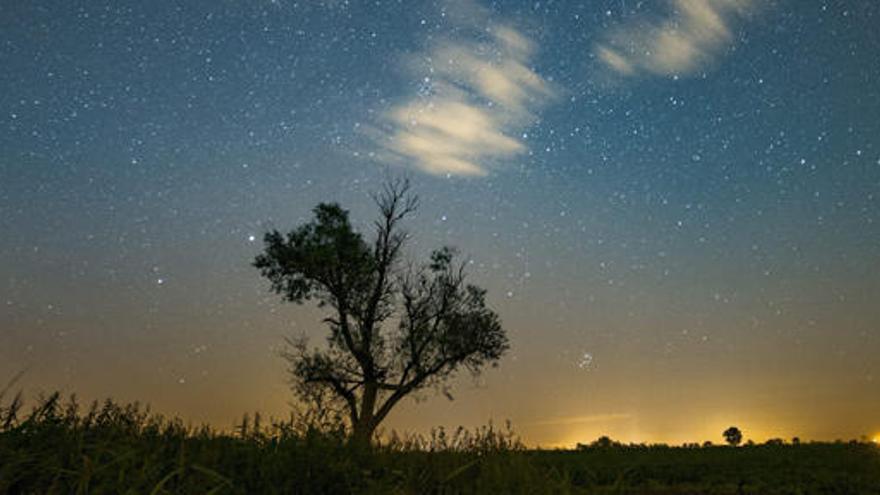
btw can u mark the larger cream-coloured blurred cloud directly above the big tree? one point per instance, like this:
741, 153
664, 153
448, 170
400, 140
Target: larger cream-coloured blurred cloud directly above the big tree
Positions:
475, 98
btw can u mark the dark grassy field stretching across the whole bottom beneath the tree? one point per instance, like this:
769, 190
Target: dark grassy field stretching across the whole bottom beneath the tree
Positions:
56, 447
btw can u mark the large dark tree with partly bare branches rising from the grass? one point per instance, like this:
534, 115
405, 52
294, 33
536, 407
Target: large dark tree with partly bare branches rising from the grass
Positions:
395, 328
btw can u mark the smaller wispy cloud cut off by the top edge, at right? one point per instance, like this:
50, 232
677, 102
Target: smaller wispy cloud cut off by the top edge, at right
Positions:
694, 33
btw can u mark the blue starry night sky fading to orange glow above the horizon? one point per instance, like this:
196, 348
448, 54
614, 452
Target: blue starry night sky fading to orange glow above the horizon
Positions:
674, 204
